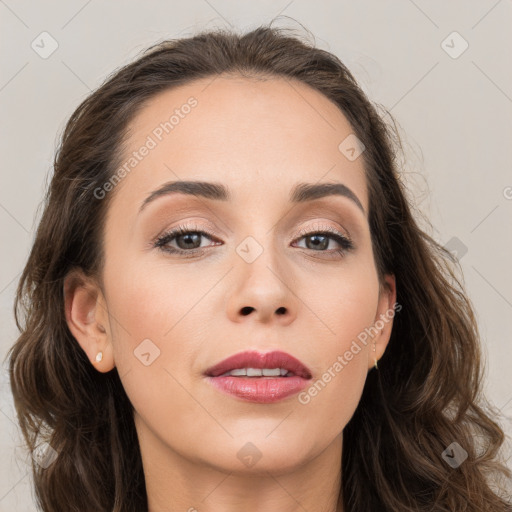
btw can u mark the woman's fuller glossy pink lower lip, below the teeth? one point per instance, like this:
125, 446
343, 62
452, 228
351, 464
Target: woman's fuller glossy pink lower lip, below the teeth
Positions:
262, 390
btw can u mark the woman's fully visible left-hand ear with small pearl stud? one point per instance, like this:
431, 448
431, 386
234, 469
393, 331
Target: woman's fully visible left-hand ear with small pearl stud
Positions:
87, 318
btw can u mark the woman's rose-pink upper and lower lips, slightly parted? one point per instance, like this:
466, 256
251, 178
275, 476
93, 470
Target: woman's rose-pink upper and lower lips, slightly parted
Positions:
259, 389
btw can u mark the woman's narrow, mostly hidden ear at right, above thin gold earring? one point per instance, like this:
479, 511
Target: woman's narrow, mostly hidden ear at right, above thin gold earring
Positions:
383, 322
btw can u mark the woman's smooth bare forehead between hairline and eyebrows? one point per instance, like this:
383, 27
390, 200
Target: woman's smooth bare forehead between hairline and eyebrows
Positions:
258, 136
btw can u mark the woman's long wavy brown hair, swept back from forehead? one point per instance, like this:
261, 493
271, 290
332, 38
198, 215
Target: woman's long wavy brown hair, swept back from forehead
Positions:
425, 394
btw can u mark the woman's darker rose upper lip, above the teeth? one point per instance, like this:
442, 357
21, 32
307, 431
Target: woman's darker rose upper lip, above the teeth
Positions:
254, 359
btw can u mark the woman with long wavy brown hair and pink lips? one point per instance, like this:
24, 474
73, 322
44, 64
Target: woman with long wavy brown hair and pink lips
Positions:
229, 304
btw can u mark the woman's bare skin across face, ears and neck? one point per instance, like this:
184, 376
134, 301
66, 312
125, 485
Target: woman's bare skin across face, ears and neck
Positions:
259, 138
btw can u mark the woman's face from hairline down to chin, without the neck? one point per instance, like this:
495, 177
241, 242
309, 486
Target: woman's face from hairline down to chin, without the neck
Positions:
256, 282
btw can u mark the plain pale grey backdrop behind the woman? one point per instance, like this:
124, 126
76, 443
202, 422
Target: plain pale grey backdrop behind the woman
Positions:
441, 68
